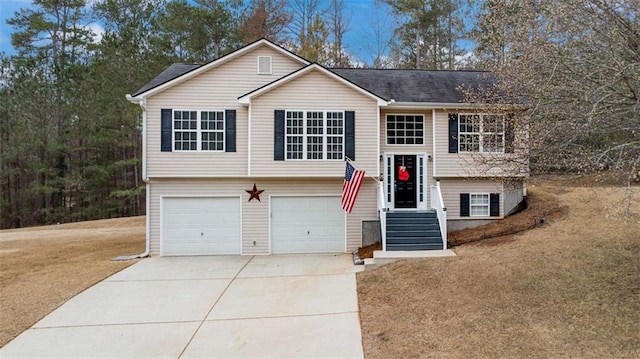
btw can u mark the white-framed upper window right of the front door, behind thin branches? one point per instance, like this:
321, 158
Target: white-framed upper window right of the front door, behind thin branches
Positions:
481, 133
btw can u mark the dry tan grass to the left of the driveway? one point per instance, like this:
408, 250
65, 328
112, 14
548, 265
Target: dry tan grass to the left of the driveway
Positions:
43, 267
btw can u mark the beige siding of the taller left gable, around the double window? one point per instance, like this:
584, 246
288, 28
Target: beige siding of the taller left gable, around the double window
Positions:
216, 89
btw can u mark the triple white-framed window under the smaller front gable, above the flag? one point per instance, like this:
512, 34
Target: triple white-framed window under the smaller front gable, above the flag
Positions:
314, 135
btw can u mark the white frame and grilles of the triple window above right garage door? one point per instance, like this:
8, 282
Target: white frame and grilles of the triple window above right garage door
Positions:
305, 136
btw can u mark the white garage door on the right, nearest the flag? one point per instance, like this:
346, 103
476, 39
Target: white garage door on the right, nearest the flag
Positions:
307, 225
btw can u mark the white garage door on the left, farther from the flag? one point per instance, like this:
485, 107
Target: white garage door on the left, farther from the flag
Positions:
200, 226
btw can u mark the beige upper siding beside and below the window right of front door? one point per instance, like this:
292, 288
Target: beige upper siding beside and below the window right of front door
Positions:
461, 164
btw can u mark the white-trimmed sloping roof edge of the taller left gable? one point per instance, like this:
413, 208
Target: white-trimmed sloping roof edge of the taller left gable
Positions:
178, 73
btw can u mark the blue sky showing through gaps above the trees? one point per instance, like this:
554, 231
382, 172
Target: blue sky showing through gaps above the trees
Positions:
363, 14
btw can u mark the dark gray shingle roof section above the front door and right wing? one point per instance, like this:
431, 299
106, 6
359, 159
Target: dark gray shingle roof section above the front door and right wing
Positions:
415, 85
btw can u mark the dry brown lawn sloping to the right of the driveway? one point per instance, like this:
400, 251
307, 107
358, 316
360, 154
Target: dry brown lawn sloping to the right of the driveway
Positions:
567, 289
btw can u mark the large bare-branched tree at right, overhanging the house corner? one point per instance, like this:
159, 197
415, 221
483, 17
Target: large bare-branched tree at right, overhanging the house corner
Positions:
574, 66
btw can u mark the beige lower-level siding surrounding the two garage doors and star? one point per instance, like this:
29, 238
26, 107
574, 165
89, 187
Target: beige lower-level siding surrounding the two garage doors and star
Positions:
255, 215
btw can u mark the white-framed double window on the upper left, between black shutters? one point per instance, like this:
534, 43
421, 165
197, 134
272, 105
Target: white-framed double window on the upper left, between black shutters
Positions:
198, 130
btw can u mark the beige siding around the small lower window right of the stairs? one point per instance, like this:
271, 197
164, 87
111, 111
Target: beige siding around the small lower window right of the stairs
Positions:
451, 189
